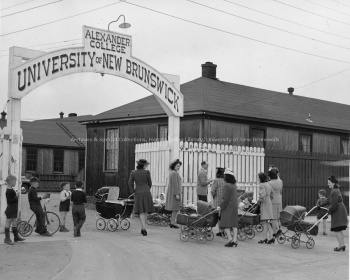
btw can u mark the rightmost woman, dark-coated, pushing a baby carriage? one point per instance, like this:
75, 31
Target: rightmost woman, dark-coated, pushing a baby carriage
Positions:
338, 212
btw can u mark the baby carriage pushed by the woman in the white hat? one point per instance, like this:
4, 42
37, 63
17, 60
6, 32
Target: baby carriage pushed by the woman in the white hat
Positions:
198, 225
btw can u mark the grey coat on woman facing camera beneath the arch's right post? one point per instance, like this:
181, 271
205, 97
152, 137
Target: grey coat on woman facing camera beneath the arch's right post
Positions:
174, 188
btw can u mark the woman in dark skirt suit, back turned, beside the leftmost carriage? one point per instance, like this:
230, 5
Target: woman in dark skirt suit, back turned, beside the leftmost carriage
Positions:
143, 203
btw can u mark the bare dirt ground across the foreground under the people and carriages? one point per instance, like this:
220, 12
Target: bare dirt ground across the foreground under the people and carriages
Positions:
126, 254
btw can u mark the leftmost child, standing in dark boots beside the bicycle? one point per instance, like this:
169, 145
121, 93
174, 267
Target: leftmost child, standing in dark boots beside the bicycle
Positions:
11, 211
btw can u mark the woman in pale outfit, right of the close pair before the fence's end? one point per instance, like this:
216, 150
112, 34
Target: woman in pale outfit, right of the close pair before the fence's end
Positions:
277, 184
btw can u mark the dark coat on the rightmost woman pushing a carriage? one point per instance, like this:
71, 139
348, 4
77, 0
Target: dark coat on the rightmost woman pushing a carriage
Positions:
337, 209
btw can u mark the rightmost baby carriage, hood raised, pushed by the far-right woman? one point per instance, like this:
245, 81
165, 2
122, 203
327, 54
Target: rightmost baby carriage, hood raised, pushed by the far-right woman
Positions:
292, 217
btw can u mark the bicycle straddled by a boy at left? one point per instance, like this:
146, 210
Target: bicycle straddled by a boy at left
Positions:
52, 223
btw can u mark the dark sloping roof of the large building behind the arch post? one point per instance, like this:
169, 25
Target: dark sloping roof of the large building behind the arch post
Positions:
214, 96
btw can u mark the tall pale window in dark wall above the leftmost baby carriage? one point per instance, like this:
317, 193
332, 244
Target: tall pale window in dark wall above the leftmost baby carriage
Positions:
111, 149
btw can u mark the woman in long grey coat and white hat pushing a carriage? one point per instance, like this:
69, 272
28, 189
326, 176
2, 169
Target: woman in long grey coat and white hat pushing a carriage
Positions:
229, 208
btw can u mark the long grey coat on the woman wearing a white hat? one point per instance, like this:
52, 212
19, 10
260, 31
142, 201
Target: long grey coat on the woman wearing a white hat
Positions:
229, 207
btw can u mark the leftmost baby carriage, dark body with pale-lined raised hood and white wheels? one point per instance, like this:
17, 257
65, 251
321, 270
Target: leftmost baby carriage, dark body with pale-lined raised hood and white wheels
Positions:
112, 210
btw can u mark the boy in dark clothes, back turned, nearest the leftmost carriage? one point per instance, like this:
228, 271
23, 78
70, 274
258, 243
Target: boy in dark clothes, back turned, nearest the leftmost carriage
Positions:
78, 210
